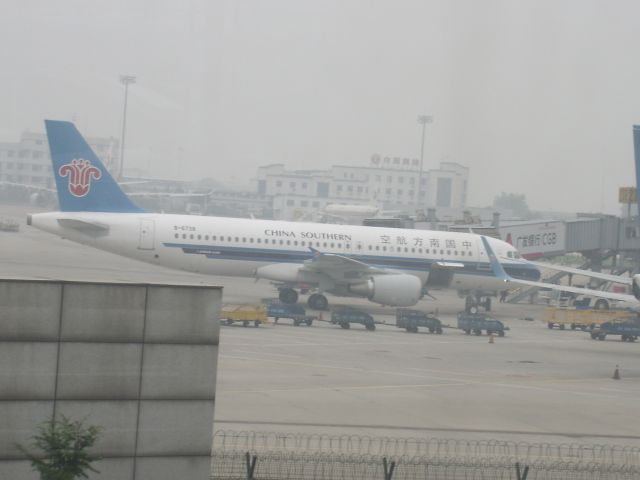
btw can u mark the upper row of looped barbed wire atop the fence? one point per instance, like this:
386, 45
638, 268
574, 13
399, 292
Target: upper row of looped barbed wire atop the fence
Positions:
230, 440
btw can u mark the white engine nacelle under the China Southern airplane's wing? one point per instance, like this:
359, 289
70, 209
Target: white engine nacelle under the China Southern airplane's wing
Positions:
395, 290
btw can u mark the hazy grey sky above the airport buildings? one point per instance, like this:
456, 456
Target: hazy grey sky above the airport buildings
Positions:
536, 97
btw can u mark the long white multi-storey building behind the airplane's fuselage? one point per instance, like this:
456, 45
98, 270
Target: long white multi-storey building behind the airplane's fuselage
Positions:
388, 183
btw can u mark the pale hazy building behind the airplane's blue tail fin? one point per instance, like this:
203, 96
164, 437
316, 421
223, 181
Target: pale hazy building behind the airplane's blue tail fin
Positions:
28, 161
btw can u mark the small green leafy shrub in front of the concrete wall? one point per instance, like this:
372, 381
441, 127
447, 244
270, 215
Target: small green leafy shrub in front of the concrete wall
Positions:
63, 449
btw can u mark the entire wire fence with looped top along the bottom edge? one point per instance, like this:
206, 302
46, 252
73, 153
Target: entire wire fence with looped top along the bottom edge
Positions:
267, 456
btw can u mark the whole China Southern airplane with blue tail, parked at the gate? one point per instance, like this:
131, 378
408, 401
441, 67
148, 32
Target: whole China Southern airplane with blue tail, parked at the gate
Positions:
388, 266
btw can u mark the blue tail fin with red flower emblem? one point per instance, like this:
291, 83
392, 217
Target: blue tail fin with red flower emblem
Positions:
83, 182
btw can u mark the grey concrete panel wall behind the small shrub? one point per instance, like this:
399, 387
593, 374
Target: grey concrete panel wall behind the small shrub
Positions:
138, 360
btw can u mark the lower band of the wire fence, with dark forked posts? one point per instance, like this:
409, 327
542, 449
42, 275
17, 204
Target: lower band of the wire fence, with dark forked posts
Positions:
280, 465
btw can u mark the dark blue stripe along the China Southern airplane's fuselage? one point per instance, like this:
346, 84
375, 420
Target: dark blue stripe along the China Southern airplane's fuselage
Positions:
218, 252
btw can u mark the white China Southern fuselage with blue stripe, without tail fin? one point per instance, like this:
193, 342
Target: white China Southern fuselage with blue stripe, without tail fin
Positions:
238, 247
